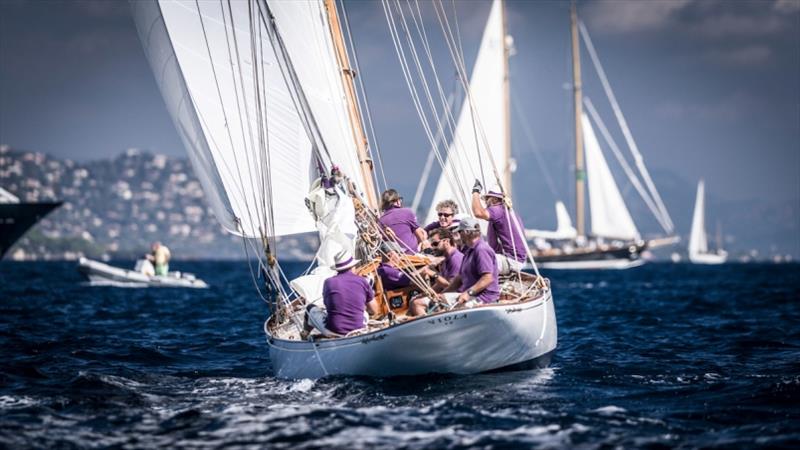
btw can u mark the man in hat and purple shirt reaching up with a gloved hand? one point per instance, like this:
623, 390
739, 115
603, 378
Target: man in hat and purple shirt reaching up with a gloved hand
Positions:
502, 234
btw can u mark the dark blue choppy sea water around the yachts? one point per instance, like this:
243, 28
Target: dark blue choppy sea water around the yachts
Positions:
658, 356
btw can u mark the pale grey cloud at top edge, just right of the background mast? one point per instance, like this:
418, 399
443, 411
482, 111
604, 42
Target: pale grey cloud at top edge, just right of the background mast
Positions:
620, 16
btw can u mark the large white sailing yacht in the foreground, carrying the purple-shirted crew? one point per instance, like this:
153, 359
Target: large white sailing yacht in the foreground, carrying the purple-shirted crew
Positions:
263, 97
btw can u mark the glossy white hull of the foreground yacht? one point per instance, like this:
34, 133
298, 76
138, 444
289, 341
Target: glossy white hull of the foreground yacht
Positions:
465, 341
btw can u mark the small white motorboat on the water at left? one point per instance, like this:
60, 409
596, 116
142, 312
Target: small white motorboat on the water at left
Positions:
103, 274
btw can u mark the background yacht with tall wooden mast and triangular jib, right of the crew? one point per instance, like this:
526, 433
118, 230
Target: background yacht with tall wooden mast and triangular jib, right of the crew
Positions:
614, 241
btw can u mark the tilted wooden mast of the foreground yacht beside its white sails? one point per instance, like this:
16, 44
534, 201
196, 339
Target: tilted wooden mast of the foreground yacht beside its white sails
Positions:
348, 75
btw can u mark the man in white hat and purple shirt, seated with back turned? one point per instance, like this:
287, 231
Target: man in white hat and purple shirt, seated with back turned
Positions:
346, 296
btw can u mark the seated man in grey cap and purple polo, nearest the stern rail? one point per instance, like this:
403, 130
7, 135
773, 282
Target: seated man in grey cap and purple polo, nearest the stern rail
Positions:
477, 281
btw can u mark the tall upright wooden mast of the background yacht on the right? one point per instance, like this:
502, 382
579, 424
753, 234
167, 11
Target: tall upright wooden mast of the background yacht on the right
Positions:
580, 172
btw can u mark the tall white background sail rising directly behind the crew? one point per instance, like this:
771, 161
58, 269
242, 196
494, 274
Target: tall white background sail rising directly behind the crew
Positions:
467, 151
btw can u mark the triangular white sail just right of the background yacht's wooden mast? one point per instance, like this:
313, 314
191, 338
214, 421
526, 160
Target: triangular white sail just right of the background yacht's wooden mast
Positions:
610, 216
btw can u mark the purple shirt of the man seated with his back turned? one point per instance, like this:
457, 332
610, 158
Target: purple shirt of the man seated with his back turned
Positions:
345, 296
